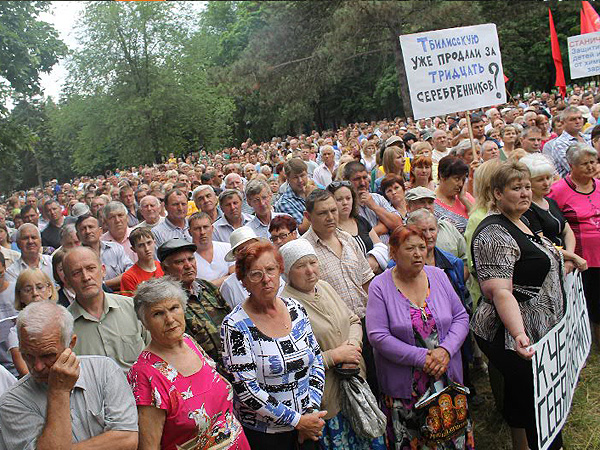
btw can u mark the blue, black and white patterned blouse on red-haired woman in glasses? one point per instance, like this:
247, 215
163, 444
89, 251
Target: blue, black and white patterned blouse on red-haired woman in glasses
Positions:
275, 380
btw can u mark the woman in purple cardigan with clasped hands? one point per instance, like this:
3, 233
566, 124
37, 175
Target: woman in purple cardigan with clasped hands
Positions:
416, 324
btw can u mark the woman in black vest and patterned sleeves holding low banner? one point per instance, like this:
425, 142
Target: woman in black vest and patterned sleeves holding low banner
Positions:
520, 274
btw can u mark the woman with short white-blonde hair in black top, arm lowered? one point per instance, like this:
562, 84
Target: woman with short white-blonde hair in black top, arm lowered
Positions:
544, 215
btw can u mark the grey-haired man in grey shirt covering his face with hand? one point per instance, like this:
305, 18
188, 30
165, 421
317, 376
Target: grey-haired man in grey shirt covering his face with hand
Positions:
65, 399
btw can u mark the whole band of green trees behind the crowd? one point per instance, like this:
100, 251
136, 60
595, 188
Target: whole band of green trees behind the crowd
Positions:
150, 78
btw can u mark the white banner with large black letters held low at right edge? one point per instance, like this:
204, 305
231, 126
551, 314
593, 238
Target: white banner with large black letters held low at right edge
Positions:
558, 359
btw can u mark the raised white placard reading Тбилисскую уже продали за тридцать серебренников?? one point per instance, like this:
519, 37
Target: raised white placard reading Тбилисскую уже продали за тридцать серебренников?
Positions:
452, 70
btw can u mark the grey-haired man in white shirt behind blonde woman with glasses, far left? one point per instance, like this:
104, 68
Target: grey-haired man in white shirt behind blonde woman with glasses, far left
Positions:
29, 242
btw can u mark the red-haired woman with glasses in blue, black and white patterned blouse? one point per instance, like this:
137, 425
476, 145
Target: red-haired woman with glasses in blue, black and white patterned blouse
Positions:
273, 356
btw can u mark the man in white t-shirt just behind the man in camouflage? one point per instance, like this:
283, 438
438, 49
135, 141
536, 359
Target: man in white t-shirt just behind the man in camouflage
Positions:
210, 255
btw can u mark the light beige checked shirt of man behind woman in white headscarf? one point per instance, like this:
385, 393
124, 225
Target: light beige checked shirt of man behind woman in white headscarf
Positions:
347, 273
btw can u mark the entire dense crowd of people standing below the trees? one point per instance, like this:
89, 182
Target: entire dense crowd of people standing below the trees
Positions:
224, 300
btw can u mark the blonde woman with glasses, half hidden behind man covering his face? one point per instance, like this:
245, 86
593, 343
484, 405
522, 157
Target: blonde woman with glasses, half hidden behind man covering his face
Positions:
33, 285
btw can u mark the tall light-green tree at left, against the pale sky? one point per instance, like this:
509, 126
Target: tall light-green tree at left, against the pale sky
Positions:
138, 88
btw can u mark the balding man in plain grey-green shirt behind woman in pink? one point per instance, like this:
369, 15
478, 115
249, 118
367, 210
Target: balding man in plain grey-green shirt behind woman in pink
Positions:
105, 323
